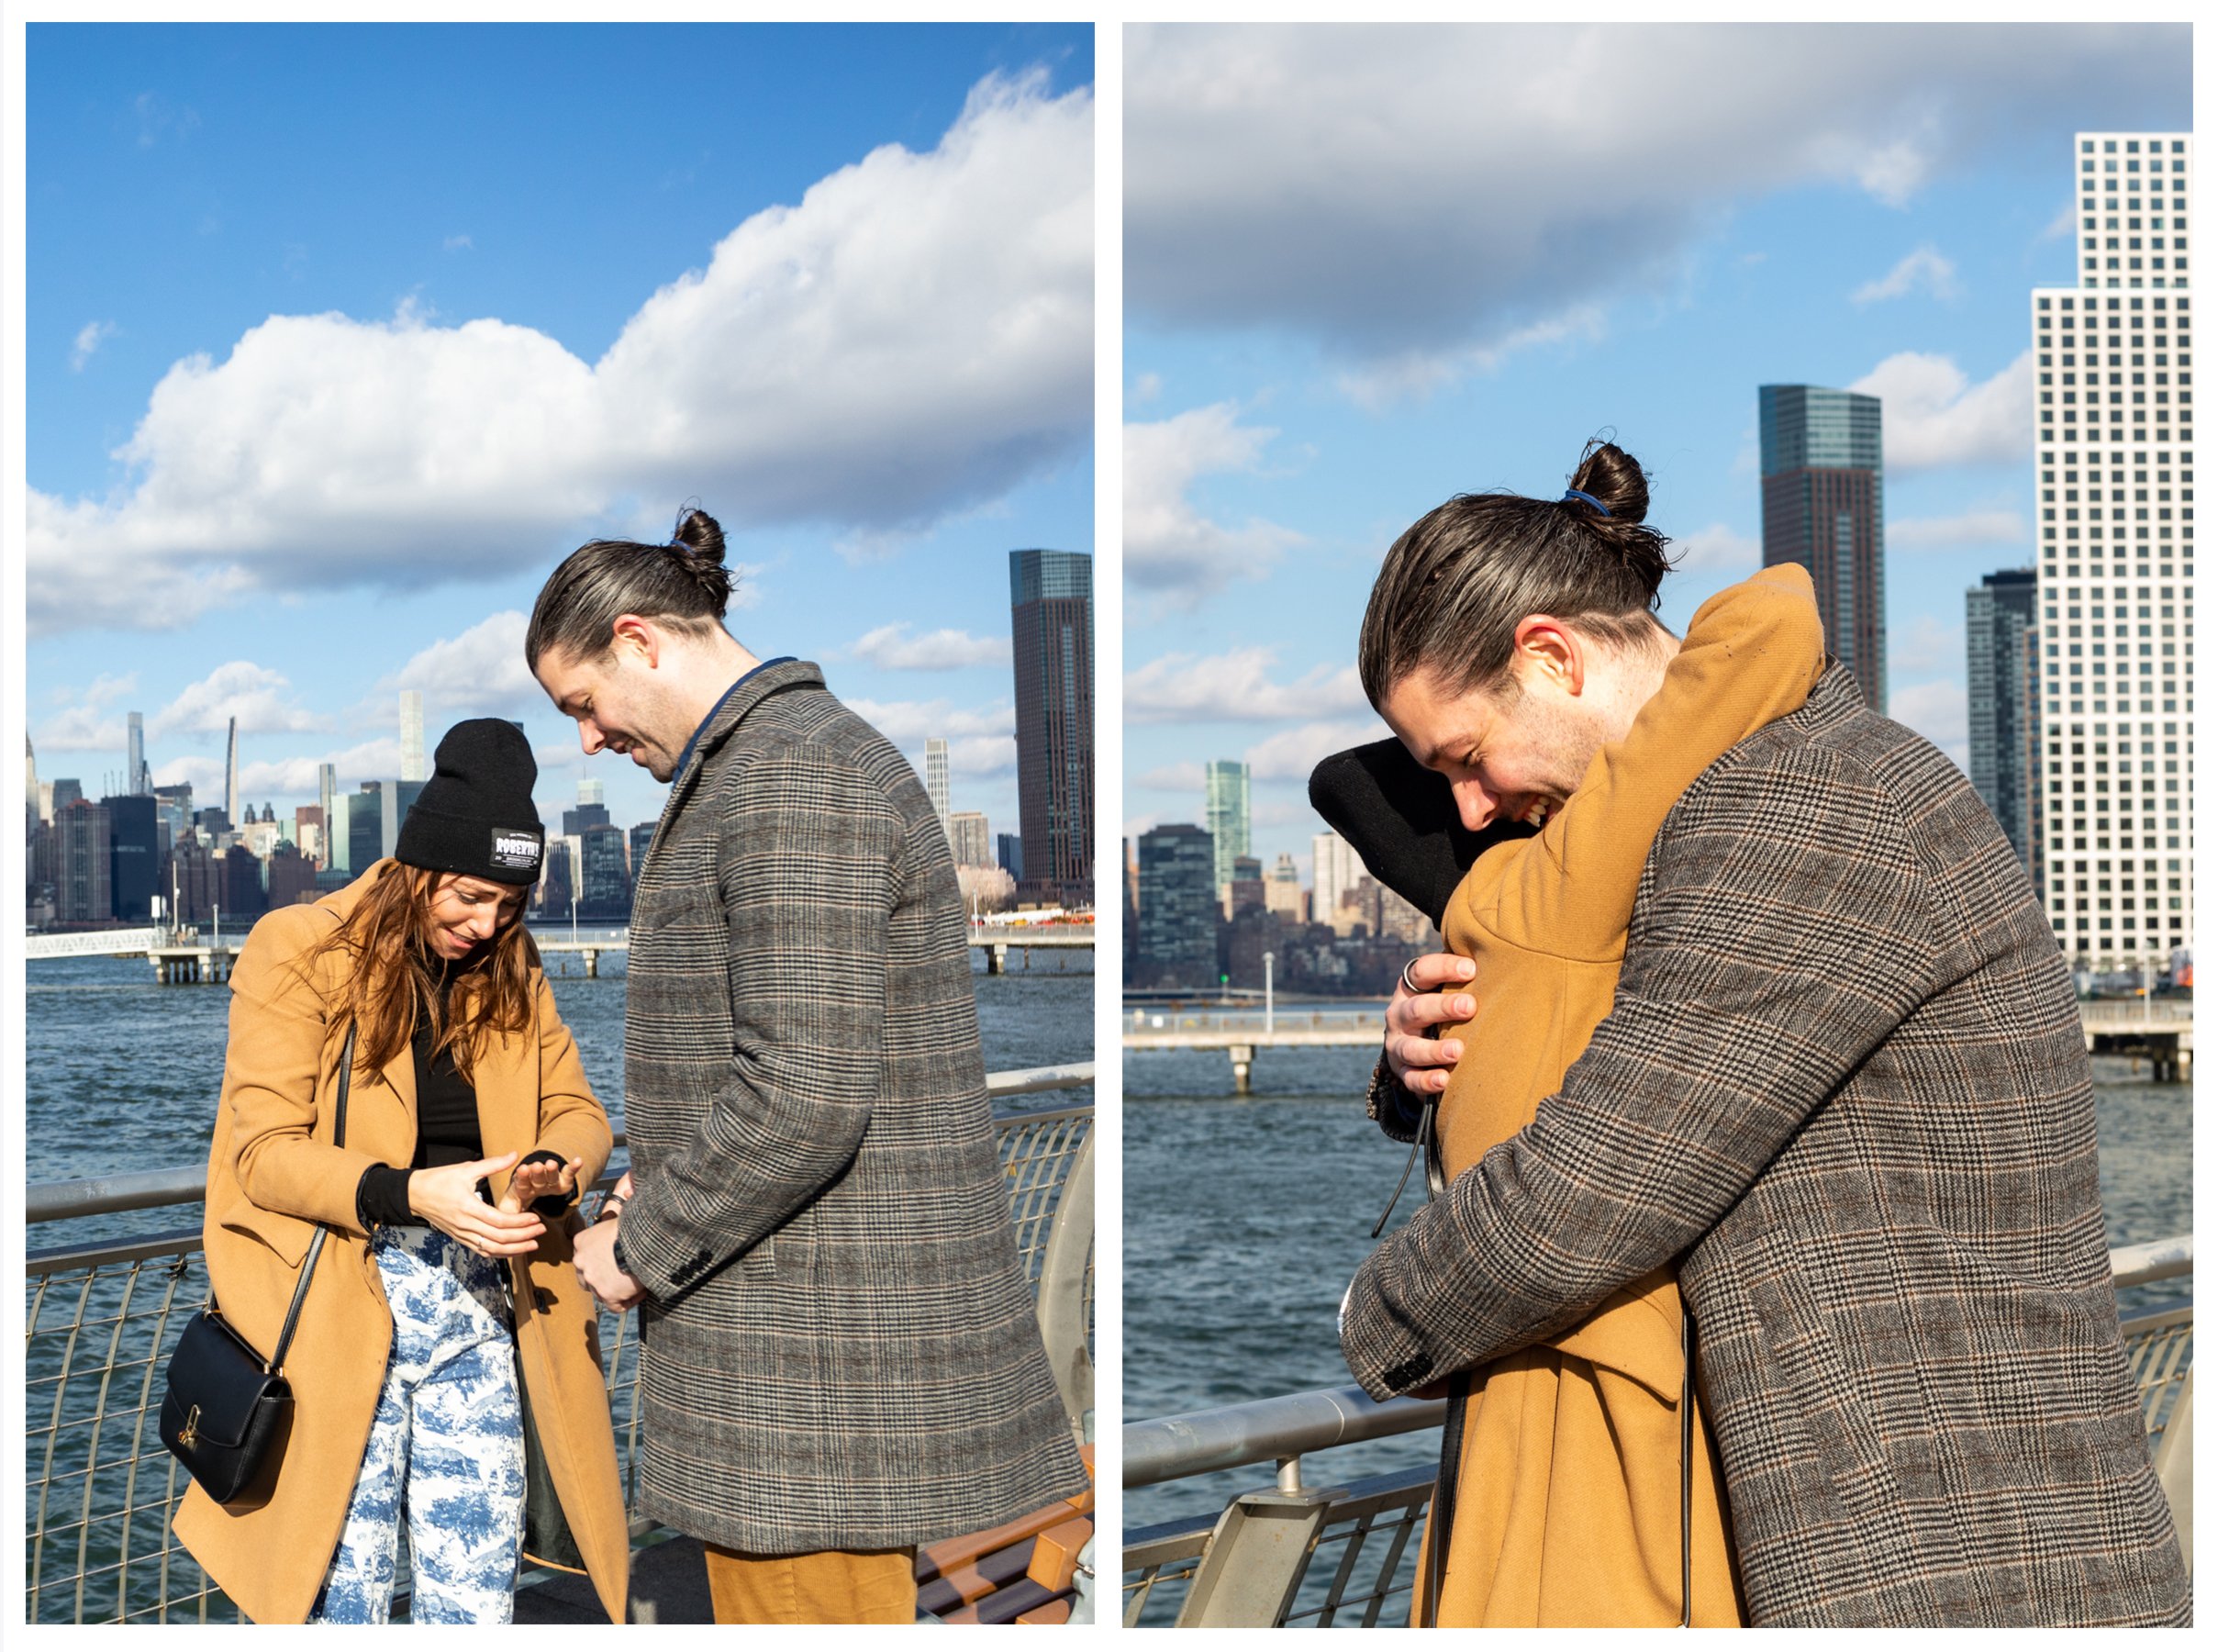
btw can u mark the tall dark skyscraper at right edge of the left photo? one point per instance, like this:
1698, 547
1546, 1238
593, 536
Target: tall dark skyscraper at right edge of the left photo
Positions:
1052, 631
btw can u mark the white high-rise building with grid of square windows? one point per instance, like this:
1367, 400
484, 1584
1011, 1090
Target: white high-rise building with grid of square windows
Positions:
2117, 482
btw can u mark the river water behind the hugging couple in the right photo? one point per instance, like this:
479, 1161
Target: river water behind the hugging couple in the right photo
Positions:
1248, 1216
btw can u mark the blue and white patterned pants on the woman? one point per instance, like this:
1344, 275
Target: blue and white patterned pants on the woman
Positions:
447, 1447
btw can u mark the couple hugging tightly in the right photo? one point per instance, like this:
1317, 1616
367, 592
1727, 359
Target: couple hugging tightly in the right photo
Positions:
1769, 1274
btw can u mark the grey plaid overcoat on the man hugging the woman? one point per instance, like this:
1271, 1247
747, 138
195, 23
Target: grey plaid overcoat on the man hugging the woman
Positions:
1844, 1081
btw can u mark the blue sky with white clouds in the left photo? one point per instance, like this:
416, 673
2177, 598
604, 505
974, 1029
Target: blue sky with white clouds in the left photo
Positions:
340, 338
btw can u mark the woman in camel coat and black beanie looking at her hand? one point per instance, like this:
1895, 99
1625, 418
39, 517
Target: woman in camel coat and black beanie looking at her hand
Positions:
407, 1238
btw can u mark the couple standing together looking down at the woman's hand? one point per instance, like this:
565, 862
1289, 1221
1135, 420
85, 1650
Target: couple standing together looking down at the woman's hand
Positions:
840, 1347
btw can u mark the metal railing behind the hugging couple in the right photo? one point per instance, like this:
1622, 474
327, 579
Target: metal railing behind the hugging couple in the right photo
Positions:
1299, 1553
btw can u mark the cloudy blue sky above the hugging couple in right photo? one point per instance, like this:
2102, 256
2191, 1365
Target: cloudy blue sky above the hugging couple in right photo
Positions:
1370, 269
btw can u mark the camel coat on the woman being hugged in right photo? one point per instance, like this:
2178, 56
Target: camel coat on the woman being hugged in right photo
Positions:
1567, 1507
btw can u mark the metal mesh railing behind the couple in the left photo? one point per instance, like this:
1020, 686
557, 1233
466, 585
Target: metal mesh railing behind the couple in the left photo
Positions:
103, 1318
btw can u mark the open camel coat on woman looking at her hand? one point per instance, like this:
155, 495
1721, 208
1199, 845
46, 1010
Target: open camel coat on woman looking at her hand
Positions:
276, 1172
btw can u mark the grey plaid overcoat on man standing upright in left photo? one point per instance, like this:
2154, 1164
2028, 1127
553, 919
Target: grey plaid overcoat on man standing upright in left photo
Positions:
840, 1347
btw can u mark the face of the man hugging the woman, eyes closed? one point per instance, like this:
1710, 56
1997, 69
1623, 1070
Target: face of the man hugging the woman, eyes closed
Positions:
1512, 753
